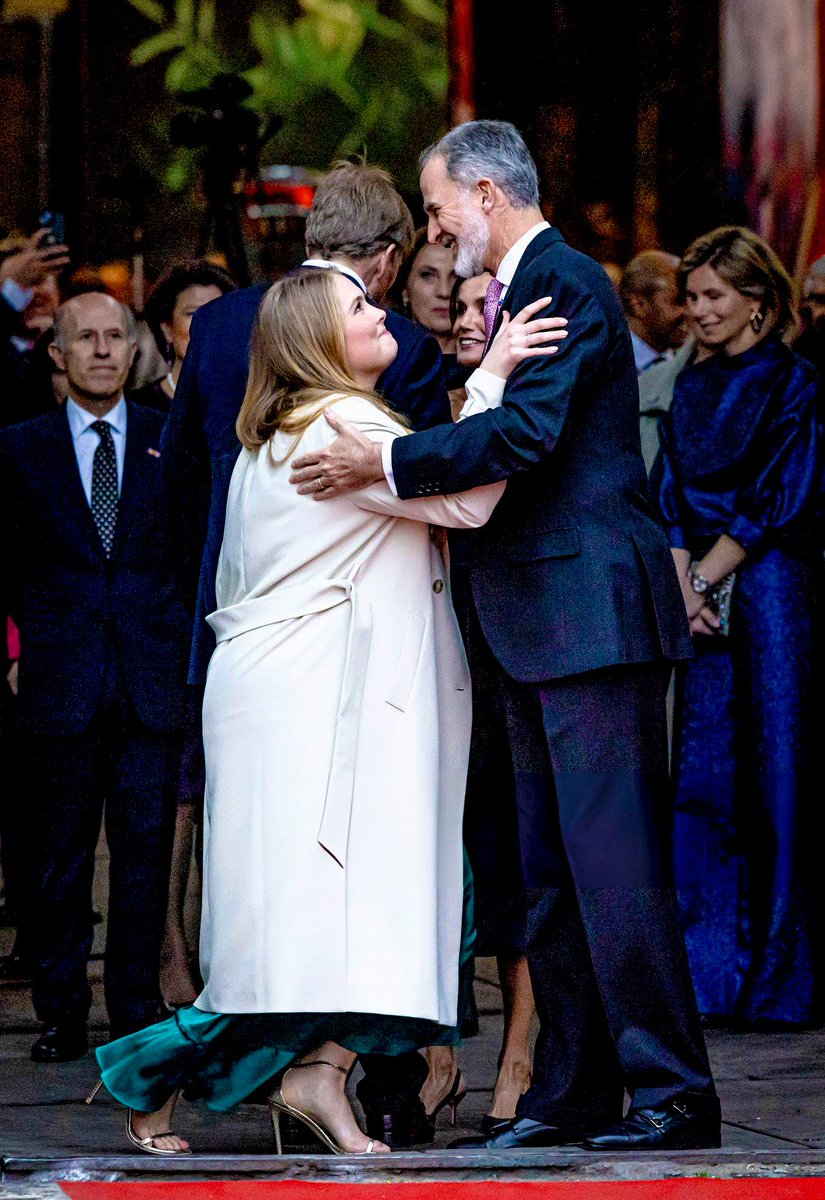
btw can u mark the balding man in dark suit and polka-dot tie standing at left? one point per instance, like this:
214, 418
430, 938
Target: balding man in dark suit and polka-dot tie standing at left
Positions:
92, 579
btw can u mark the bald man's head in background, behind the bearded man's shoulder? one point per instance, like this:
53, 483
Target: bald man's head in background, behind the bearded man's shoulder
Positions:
649, 291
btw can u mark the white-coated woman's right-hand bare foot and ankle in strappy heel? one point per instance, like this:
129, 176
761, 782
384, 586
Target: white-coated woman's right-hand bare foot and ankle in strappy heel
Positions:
321, 1095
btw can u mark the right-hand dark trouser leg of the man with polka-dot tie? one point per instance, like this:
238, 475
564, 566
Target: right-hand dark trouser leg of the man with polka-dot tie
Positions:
140, 825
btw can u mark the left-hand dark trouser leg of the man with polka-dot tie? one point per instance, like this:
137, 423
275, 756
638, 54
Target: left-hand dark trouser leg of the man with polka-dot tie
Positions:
65, 776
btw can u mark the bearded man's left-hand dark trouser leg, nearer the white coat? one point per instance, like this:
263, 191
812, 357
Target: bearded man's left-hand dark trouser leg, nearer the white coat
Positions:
577, 1081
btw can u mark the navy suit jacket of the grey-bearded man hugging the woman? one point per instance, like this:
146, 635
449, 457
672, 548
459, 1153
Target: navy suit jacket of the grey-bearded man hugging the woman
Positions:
573, 573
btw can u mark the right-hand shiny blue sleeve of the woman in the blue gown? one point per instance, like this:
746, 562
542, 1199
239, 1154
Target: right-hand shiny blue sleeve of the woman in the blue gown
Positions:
782, 499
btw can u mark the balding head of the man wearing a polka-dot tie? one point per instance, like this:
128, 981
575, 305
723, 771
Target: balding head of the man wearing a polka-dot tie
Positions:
95, 344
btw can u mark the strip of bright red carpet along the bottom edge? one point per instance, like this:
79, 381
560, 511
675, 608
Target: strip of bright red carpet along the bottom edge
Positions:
266, 1190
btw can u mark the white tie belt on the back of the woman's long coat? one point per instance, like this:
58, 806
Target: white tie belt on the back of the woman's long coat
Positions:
302, 601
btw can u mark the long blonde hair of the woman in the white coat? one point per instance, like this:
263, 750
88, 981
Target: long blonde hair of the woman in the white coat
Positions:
298, 359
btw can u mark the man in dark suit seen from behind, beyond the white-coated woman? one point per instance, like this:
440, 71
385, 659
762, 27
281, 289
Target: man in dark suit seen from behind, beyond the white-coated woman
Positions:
360, 225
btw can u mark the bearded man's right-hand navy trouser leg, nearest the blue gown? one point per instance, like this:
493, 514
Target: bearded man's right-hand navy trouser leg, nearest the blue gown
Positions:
607, 741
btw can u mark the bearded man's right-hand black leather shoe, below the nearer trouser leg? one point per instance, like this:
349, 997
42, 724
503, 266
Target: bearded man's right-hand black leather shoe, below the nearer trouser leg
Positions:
691, 1123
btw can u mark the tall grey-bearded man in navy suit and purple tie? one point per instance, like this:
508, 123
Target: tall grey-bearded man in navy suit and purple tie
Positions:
579, 601
